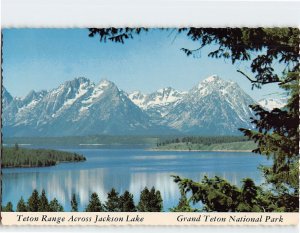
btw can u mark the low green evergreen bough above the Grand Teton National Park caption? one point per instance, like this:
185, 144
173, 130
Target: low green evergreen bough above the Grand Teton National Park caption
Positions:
217, 194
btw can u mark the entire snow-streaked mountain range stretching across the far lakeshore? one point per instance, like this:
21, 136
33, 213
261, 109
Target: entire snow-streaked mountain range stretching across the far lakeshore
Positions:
81, 107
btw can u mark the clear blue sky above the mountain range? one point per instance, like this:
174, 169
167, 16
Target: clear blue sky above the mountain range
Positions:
36, 59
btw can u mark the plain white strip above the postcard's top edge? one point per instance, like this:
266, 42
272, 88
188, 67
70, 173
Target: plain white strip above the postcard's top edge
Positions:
151, 13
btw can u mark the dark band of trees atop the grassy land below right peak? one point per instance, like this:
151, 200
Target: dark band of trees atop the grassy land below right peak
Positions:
204, 140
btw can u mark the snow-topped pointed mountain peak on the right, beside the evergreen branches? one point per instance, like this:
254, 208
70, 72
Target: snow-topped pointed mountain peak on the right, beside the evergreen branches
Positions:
214, 107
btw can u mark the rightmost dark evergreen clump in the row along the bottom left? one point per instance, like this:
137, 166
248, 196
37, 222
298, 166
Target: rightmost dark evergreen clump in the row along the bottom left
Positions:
150, 201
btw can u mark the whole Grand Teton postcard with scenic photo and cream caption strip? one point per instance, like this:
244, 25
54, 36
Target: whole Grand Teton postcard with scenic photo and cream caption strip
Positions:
150, 126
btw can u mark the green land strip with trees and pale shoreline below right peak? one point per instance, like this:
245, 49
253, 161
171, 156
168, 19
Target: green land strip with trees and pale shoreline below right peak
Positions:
218, 143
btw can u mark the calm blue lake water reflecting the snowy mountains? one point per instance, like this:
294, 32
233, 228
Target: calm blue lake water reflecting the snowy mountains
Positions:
127, 169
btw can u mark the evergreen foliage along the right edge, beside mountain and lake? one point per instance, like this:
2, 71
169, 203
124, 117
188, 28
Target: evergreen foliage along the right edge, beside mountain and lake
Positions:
278, 138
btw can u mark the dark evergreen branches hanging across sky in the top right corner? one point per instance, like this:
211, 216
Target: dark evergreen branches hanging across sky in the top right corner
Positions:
271, 44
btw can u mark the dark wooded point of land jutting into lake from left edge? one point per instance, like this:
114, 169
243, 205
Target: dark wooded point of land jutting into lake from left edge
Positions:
13, 157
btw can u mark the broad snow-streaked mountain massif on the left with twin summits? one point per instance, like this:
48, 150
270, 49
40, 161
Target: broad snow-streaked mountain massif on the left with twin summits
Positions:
78, 107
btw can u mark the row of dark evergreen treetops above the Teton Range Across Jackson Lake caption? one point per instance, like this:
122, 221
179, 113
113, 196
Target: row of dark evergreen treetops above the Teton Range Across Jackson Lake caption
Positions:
150, 201
